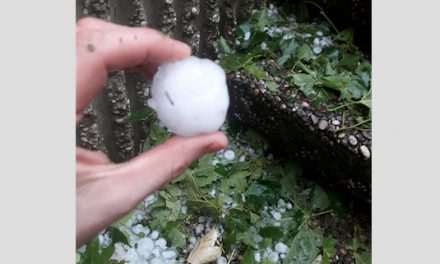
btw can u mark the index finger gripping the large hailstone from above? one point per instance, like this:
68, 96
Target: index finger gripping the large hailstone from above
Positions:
102, 47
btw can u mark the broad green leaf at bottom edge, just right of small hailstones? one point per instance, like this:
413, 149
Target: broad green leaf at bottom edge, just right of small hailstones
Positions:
305, 246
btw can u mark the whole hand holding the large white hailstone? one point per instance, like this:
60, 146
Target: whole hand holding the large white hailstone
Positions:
105, 191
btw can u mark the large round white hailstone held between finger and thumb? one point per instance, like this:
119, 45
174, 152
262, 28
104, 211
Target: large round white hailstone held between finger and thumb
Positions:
190, 96
